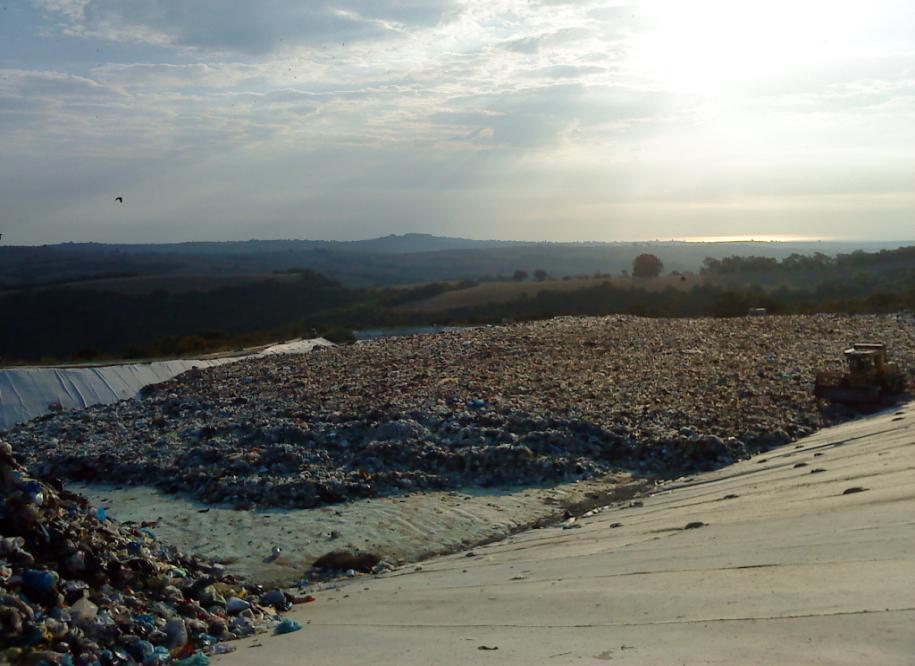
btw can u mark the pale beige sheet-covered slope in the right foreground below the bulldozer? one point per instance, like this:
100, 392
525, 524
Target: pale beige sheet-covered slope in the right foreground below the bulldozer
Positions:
804, 555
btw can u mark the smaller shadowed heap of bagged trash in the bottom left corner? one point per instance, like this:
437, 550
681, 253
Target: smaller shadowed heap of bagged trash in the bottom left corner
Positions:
78, 588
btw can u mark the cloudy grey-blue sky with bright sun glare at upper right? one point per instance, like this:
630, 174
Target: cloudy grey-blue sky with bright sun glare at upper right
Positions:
510, 119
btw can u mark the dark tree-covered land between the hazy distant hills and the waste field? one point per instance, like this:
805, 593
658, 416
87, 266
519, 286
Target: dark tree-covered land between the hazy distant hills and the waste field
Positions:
57, 323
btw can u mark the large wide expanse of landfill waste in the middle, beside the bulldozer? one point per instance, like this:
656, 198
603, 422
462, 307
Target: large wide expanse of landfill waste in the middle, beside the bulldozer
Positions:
538, 402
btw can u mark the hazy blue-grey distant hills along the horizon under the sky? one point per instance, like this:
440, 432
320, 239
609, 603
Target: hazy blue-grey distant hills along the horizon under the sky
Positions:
389, 260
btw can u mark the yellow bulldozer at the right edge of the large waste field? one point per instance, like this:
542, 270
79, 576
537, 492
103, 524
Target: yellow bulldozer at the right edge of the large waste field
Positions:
869, 383
